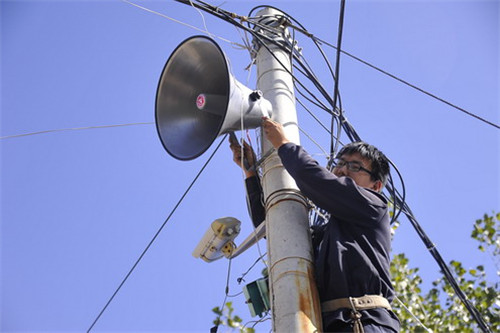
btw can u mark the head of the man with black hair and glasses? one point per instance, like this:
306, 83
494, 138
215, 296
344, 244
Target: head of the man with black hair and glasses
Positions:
364, 163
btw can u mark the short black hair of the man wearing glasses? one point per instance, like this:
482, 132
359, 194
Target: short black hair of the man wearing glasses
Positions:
379, 162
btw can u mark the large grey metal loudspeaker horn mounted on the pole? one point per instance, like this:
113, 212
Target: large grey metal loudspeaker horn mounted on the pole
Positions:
198, 99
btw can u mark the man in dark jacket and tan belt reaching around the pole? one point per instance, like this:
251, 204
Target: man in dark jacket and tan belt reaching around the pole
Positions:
351, 250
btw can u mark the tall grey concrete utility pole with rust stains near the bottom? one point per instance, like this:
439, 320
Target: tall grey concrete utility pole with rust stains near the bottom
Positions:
293, 295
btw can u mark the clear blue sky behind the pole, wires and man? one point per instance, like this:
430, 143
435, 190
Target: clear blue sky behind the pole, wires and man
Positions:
79, 206
